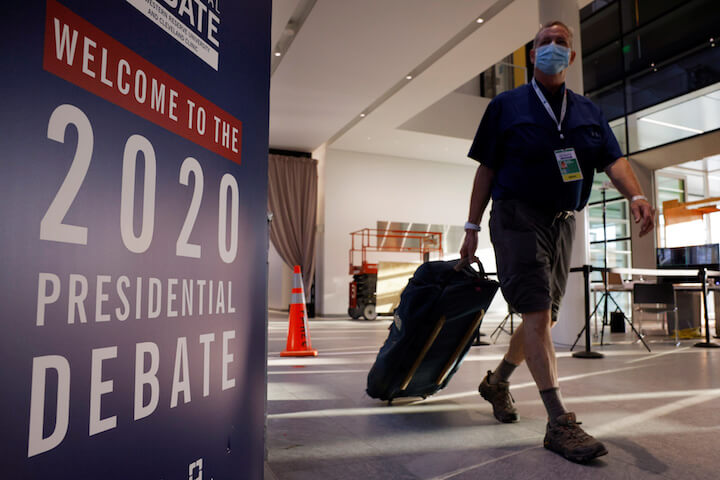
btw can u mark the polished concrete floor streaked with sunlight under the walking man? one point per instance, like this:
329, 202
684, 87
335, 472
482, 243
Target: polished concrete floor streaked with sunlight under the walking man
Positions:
658, 413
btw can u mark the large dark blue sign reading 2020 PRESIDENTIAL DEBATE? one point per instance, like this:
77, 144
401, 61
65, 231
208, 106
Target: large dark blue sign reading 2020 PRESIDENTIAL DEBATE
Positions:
133, 189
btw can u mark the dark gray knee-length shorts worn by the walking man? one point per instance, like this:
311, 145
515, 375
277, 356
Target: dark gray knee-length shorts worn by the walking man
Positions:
532, 251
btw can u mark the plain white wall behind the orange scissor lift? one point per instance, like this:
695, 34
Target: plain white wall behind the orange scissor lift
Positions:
361, 189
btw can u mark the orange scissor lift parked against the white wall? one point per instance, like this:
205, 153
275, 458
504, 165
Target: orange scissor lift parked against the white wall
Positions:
362, 297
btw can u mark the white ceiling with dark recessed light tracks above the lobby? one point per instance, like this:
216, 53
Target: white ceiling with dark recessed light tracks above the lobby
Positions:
344, 58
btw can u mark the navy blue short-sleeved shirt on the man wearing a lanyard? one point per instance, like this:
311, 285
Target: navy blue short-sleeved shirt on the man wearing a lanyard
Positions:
517, 139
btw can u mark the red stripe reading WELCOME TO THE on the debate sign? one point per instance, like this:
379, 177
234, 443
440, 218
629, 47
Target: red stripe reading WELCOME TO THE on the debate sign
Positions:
77, 51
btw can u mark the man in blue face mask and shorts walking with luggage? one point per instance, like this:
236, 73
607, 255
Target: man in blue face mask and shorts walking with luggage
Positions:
538, 146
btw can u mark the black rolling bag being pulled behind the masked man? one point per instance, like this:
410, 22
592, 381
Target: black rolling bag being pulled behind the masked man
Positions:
440, 311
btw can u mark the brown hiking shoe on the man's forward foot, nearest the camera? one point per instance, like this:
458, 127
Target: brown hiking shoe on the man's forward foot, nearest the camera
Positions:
566, 438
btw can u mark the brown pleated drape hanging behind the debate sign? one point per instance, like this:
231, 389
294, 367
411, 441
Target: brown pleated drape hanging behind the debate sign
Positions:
292, 199
